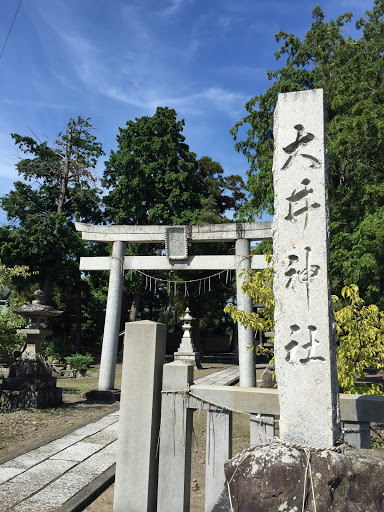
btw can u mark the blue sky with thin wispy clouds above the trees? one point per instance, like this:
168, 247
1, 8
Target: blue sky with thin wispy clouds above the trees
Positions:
119, 59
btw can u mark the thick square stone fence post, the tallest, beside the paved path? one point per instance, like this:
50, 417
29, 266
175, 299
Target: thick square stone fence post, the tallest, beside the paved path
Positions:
137, 463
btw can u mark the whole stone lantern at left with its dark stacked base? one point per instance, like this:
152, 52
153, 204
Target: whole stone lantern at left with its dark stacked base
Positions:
30, 383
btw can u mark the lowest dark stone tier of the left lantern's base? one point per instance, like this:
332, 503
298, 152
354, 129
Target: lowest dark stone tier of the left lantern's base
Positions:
24, 399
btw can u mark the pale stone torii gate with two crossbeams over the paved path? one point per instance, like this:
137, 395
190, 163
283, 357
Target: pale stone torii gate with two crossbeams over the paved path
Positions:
177, 258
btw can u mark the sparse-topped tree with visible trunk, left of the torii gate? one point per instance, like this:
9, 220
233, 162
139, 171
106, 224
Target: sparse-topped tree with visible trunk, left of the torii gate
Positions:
42, 215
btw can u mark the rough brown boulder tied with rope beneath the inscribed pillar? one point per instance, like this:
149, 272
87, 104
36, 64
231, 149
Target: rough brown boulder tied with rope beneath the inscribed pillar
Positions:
271, 478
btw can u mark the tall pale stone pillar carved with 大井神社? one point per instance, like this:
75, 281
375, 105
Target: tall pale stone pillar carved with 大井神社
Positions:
305, 349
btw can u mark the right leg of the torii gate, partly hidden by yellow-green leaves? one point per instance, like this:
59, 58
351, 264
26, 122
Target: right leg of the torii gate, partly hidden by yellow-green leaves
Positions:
245, 336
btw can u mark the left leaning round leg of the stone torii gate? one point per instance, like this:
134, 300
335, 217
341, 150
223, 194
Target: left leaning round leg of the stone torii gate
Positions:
112, 318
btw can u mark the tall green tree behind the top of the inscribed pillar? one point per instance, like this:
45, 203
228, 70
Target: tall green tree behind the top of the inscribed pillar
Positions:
350, 70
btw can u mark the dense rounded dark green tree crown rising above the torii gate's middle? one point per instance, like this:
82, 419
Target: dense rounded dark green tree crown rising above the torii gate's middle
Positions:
152, 177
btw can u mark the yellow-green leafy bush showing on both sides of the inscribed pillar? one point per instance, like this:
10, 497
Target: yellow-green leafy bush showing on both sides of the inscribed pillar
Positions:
359, 329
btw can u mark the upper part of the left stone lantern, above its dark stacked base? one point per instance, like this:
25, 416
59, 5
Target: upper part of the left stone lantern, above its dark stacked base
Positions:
36, 324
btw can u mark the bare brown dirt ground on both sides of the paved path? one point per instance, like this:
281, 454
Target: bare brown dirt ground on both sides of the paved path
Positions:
20, 430
